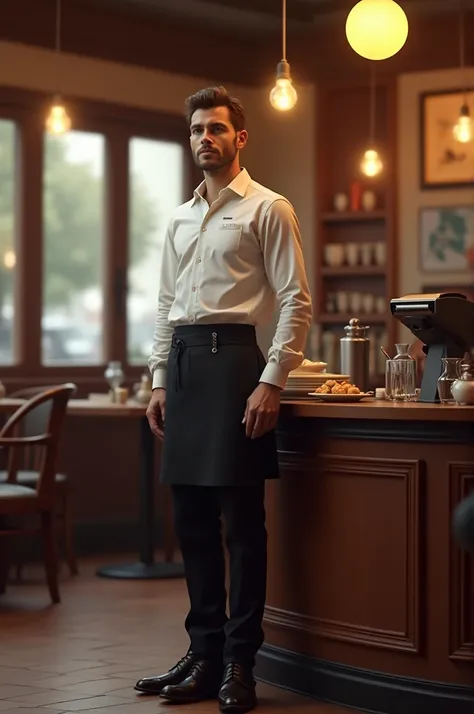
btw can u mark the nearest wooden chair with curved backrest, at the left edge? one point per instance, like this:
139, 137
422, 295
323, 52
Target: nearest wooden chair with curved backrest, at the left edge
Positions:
20, 502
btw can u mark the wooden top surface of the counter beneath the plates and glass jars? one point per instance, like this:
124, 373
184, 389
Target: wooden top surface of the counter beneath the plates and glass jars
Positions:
377, 409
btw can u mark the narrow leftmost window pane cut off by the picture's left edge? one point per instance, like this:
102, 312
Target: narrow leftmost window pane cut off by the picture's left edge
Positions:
7, 240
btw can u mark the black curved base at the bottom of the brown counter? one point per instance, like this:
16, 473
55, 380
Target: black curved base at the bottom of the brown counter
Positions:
360, 689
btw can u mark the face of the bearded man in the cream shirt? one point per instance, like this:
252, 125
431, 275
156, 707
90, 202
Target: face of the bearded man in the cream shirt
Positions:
214, 141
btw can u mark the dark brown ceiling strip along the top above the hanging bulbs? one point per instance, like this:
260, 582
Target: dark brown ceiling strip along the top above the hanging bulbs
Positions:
253, 16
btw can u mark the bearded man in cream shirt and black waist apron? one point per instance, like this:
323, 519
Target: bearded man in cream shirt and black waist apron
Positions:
227, 253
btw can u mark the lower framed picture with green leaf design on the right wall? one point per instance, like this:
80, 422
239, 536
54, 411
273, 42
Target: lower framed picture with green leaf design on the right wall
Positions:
446, 239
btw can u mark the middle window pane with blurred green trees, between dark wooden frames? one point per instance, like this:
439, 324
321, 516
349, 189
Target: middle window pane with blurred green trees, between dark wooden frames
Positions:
73, 215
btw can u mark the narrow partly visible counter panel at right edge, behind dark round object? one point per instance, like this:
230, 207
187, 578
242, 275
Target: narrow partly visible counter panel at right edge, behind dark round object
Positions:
461, 481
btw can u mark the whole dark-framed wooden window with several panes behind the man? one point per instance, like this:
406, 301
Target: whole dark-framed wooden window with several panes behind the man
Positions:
82, 221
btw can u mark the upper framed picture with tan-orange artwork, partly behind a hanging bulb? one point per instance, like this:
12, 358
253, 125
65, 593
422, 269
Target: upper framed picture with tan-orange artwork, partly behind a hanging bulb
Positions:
445, 162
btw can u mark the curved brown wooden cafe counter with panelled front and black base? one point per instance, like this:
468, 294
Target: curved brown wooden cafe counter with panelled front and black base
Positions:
370, 603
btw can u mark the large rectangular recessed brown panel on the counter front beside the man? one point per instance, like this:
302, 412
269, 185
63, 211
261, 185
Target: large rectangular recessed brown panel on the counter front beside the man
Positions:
378, 512
